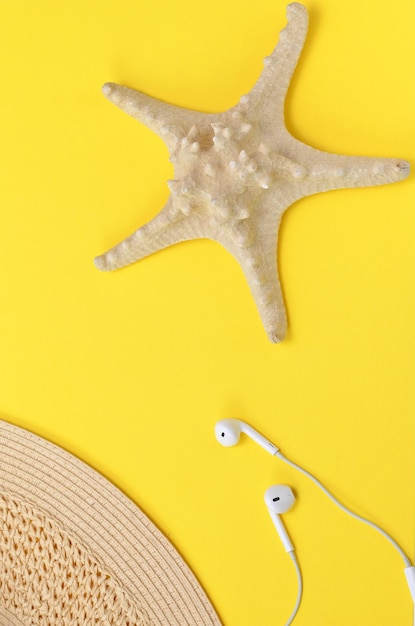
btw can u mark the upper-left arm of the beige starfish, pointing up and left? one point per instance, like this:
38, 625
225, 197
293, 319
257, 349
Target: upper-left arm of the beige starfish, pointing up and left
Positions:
170, 122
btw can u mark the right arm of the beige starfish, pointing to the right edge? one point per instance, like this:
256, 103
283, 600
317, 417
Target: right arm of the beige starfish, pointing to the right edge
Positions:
322, 171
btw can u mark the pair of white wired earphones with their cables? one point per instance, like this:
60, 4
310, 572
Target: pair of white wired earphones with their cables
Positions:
228, 433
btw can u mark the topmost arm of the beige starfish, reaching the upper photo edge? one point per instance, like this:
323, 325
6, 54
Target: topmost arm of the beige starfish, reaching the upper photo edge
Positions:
267, 97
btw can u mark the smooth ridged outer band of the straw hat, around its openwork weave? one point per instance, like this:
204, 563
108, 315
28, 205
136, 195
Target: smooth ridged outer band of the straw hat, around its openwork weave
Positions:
115, 533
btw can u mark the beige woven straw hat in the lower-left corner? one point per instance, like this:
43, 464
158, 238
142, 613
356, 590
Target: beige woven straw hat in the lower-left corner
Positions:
74, 550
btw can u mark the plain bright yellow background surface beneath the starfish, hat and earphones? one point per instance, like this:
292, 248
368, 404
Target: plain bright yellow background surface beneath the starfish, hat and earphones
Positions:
130, 370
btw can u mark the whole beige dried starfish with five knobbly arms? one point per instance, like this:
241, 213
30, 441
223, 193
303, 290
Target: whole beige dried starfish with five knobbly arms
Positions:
236, 173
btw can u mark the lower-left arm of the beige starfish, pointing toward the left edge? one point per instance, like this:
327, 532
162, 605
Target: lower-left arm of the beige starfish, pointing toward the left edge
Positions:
166, 229
